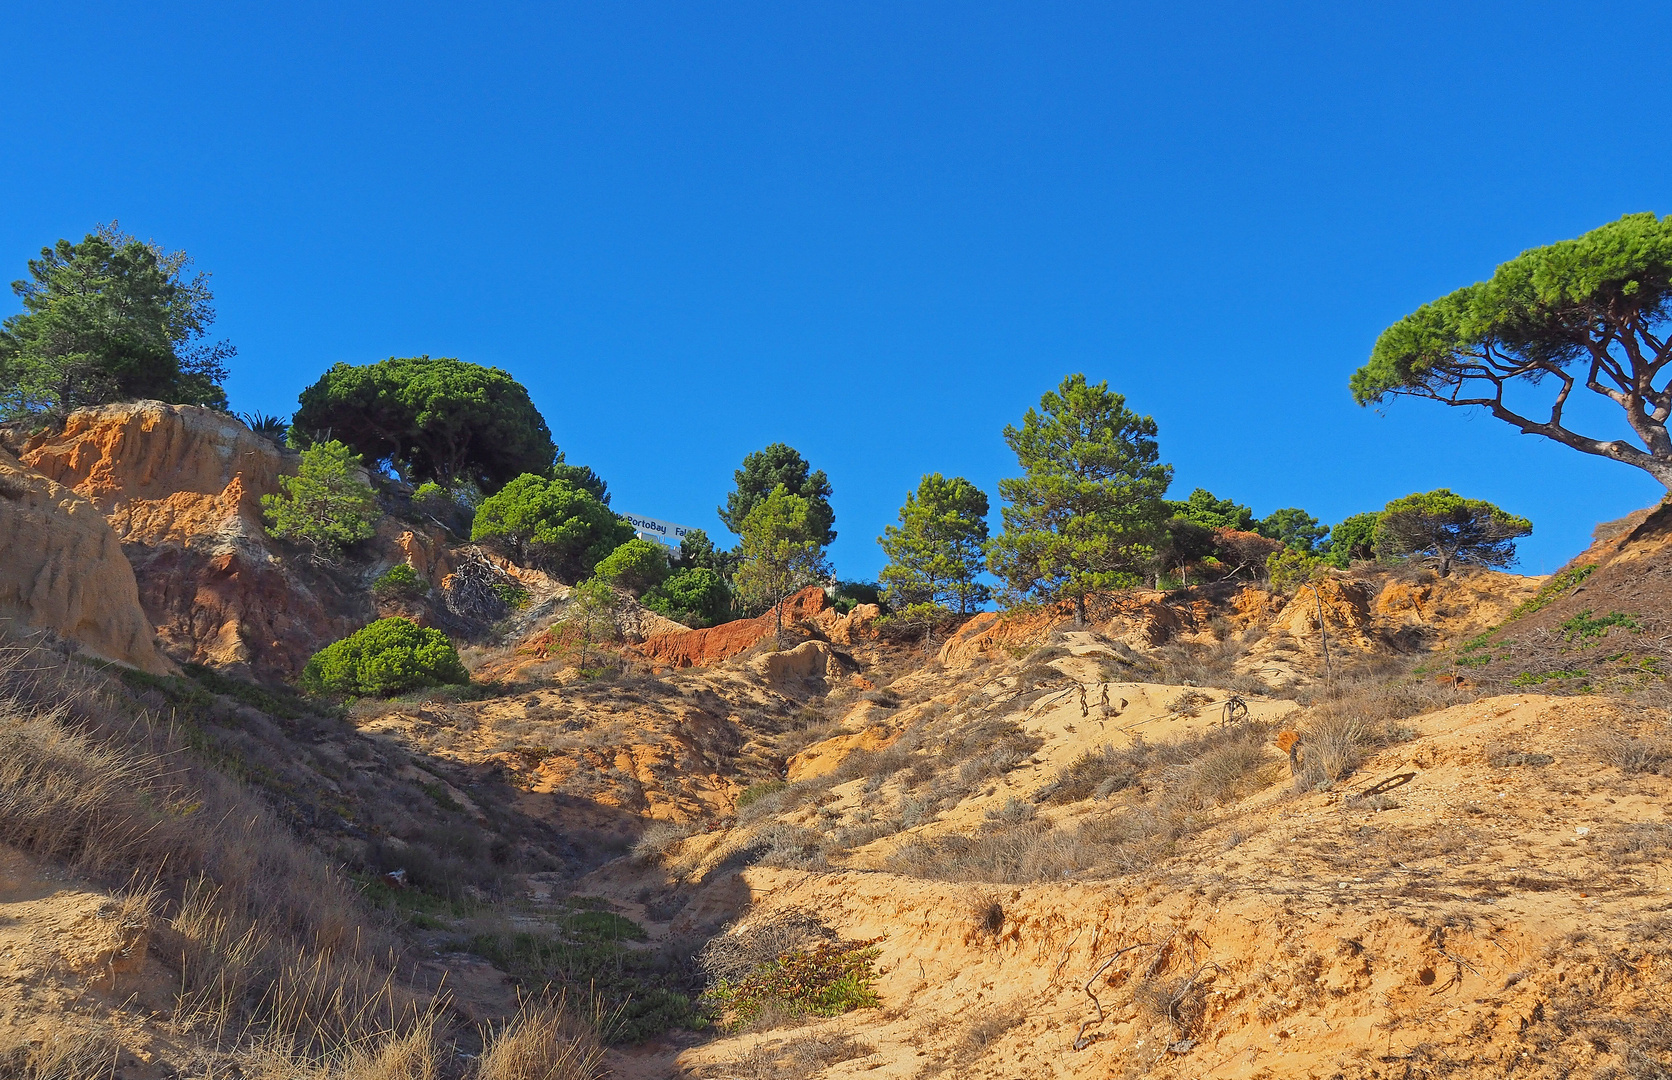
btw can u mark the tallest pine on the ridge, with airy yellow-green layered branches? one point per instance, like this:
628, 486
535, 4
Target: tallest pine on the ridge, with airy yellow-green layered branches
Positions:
1089, 509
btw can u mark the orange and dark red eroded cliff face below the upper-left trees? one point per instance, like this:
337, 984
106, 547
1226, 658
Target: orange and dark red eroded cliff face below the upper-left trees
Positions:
181, 489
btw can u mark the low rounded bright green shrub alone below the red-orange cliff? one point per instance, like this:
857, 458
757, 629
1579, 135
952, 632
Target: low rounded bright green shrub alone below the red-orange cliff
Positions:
387, 658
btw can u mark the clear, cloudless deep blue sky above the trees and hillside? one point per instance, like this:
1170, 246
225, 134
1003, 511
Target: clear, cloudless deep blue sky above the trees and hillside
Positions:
875, 232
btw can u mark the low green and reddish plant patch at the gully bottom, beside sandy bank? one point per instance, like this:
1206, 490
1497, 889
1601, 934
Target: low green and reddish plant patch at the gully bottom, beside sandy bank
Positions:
823, 981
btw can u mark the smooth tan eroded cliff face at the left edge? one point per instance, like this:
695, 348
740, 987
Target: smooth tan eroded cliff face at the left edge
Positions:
64, 573
